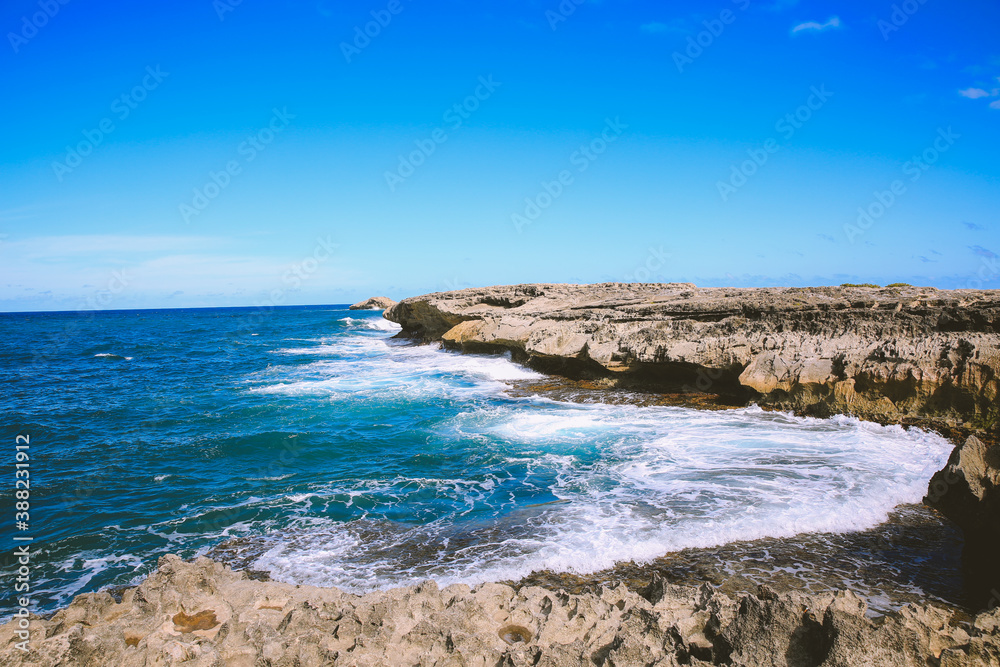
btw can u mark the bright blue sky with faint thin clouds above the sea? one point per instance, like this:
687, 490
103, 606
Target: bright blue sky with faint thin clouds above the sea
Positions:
250, 153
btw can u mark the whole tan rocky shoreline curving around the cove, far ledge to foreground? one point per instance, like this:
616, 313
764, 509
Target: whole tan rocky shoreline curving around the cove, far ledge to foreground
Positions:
895, 355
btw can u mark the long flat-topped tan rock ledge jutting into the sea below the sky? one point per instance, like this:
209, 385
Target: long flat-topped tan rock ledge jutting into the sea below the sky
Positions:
885, 354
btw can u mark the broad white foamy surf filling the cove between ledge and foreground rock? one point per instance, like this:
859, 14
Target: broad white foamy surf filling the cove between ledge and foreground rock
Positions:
629, 483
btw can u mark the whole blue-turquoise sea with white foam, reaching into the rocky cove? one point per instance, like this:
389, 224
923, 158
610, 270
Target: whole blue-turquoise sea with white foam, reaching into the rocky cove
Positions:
355, 459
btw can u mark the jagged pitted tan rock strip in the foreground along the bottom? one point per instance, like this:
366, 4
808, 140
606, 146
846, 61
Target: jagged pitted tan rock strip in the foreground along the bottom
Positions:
203, 614
